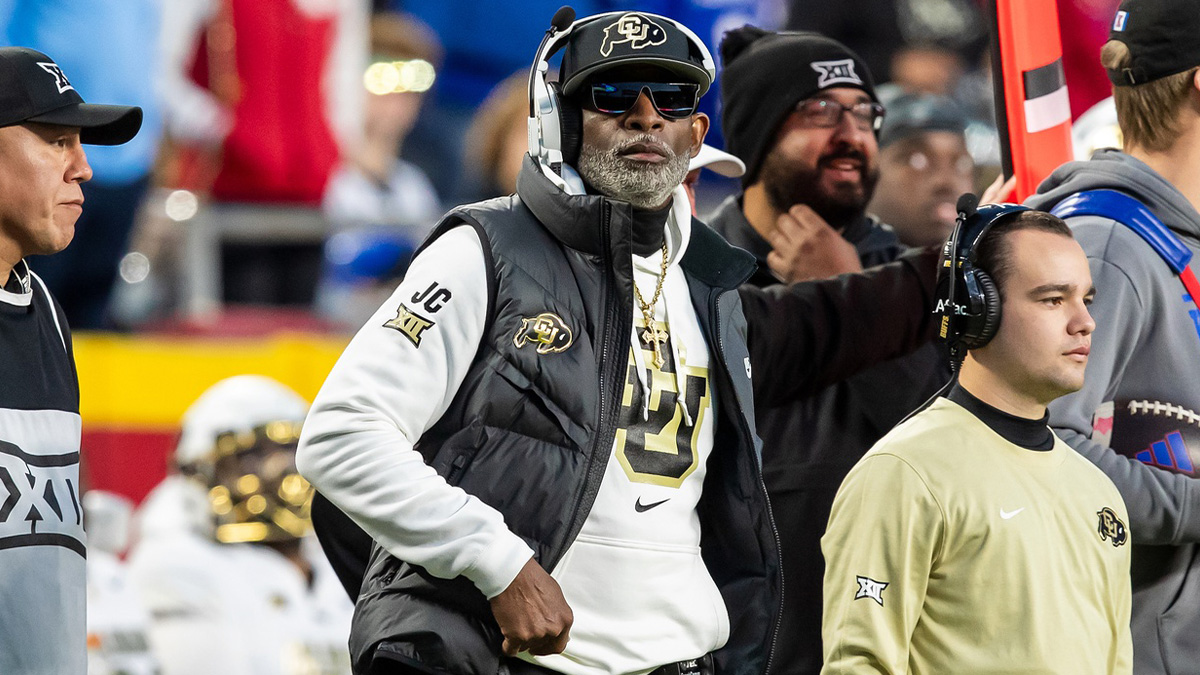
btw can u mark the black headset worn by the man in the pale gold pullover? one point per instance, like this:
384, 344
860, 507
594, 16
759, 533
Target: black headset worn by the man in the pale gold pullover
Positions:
969, 300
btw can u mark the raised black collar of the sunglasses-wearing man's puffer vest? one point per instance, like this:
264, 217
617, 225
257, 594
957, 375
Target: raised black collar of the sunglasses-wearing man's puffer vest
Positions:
575, 222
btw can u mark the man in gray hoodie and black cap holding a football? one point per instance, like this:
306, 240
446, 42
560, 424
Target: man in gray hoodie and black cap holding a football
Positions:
1136, 416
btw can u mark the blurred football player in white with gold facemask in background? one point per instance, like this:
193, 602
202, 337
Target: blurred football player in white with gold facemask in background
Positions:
233, 581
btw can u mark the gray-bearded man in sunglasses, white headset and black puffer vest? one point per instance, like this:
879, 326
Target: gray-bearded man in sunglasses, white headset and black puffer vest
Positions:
549, 428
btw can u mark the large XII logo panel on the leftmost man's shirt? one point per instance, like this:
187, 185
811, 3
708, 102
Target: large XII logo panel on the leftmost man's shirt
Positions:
40, 500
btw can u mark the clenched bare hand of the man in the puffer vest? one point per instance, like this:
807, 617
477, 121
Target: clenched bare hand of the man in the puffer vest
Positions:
533, 614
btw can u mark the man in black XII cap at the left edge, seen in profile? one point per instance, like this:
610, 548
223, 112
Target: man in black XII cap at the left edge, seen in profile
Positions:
43, 590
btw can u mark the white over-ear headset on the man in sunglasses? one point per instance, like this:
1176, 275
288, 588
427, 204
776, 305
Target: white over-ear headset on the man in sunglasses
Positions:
549, 128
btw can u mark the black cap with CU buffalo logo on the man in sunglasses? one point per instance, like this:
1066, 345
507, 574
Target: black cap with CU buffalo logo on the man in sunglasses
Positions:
621, 39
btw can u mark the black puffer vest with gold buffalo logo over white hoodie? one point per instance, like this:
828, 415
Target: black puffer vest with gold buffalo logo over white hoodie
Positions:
532, 426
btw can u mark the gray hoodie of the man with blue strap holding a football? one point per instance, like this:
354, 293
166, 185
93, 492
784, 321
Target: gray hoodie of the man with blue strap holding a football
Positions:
1147, 348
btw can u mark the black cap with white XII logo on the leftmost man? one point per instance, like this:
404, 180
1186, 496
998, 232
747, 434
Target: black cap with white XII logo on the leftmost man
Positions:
33, 88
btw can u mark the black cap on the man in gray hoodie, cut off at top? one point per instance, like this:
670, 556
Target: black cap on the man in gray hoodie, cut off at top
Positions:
1162, 37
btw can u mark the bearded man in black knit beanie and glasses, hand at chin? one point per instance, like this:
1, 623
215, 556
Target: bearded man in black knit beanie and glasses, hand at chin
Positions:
801, 111
